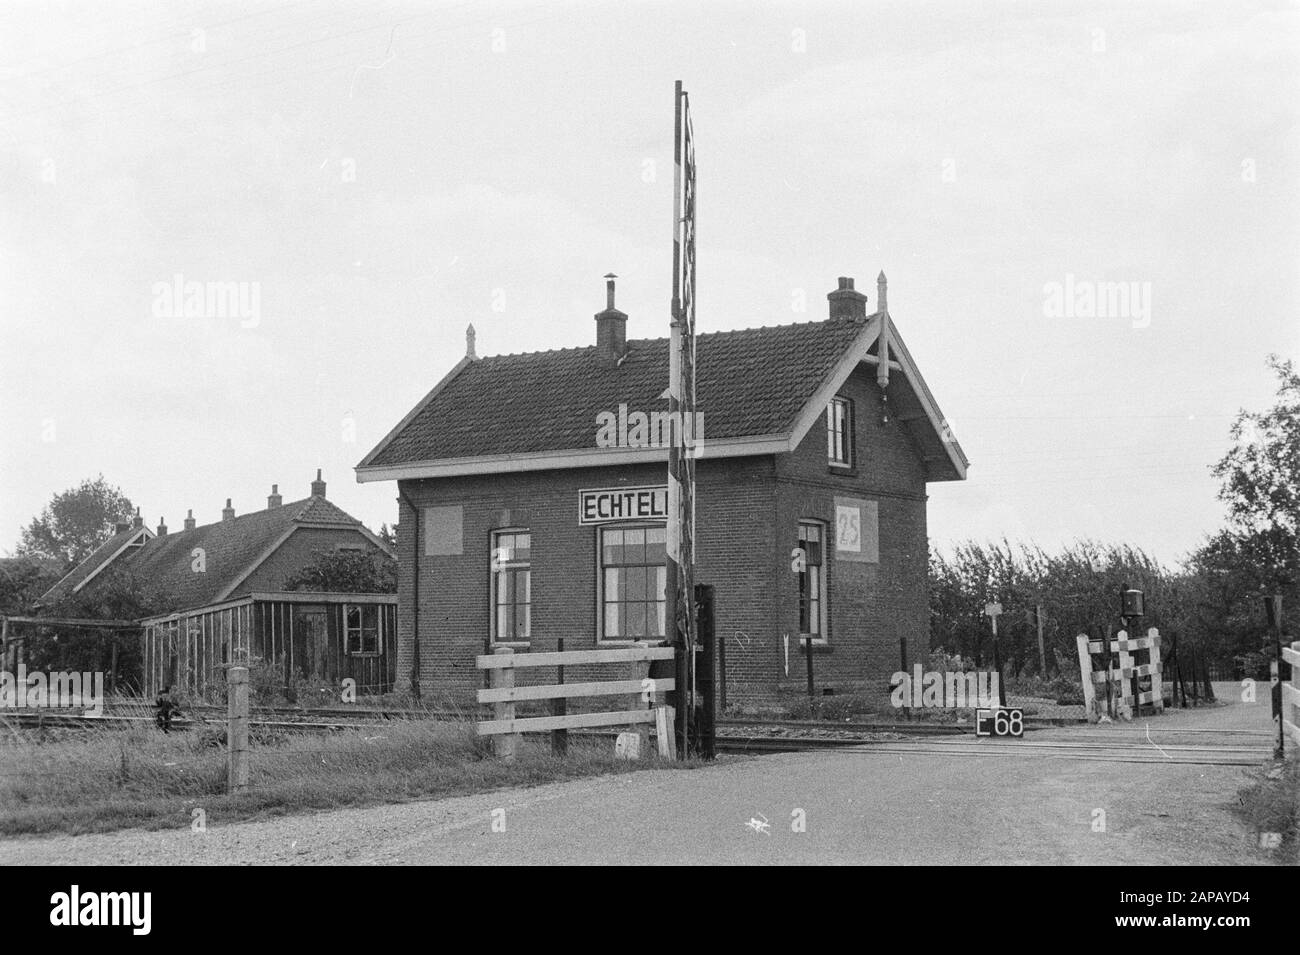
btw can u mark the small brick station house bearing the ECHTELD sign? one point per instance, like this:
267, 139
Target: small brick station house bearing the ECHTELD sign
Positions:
541, 505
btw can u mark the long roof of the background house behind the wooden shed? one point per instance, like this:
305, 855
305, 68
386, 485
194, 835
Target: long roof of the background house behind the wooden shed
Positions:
232, 550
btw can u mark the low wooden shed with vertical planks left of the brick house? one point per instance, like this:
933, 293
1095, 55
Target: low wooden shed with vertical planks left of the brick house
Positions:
307, 637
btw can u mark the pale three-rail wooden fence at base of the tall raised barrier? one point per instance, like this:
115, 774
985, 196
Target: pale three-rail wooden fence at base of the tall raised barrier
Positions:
504, 694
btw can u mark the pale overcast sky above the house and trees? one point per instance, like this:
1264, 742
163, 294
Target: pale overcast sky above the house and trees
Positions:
379, 176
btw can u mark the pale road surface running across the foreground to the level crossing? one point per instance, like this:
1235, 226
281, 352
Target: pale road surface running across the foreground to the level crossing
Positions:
1164, 802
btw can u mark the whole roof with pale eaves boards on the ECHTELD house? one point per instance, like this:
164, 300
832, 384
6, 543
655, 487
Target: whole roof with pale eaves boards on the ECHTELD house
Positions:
759, 390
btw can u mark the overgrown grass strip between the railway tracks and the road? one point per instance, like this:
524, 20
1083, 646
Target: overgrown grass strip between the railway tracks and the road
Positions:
79, 782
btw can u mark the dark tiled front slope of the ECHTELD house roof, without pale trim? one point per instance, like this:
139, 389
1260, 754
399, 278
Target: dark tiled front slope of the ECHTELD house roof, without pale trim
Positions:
749, 383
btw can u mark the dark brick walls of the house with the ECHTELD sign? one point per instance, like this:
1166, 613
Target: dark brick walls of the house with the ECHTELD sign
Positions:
747, 514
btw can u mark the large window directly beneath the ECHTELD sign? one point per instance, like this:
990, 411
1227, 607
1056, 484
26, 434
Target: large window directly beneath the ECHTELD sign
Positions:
632, 583
